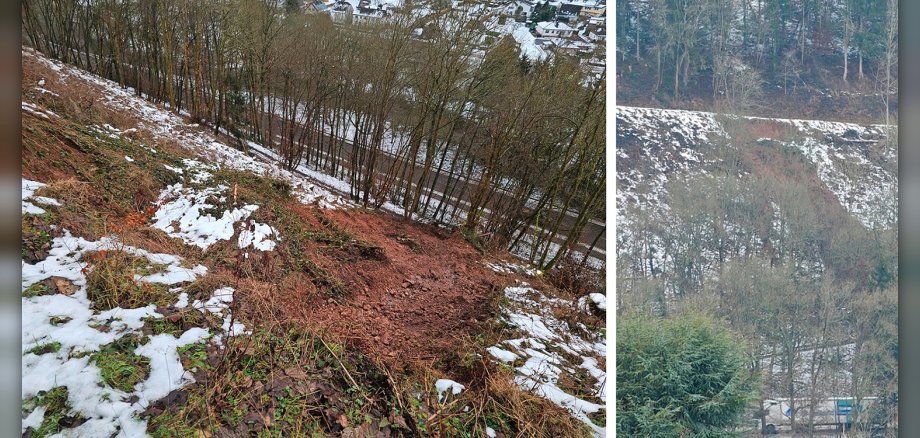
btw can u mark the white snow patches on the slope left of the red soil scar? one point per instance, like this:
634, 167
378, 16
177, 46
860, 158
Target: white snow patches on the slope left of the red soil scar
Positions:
65, 334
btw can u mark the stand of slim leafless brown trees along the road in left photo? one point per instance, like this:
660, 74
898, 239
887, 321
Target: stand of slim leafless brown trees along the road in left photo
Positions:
509, 142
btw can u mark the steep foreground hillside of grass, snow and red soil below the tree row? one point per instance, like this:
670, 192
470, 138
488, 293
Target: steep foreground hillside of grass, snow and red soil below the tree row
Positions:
174, 286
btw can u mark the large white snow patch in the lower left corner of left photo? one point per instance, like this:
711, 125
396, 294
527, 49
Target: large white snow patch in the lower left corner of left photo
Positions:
68, 321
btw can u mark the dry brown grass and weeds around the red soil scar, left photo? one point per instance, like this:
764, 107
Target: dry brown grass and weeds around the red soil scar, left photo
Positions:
327, 377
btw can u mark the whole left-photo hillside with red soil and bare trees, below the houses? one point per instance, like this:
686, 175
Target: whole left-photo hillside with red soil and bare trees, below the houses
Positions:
249, 218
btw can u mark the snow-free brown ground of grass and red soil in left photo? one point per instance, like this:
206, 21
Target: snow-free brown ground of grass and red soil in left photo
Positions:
415, 296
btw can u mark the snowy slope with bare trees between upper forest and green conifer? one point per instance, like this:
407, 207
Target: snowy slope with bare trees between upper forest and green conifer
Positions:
784, 229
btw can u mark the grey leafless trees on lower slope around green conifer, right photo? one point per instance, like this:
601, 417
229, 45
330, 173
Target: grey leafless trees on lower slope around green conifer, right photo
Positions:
811, 293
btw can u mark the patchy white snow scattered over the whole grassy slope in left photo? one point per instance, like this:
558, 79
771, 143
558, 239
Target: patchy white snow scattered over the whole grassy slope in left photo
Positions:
65, 333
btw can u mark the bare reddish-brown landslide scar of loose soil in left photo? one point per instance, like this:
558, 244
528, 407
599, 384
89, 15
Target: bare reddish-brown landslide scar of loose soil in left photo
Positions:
427, 292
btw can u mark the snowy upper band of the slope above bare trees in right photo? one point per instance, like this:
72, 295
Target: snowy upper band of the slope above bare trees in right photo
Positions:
853, 162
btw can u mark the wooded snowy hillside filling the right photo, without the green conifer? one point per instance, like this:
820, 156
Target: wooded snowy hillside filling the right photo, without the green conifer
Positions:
757, 184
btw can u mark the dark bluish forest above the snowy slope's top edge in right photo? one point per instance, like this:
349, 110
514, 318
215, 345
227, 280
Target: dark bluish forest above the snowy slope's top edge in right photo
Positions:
779, 58
